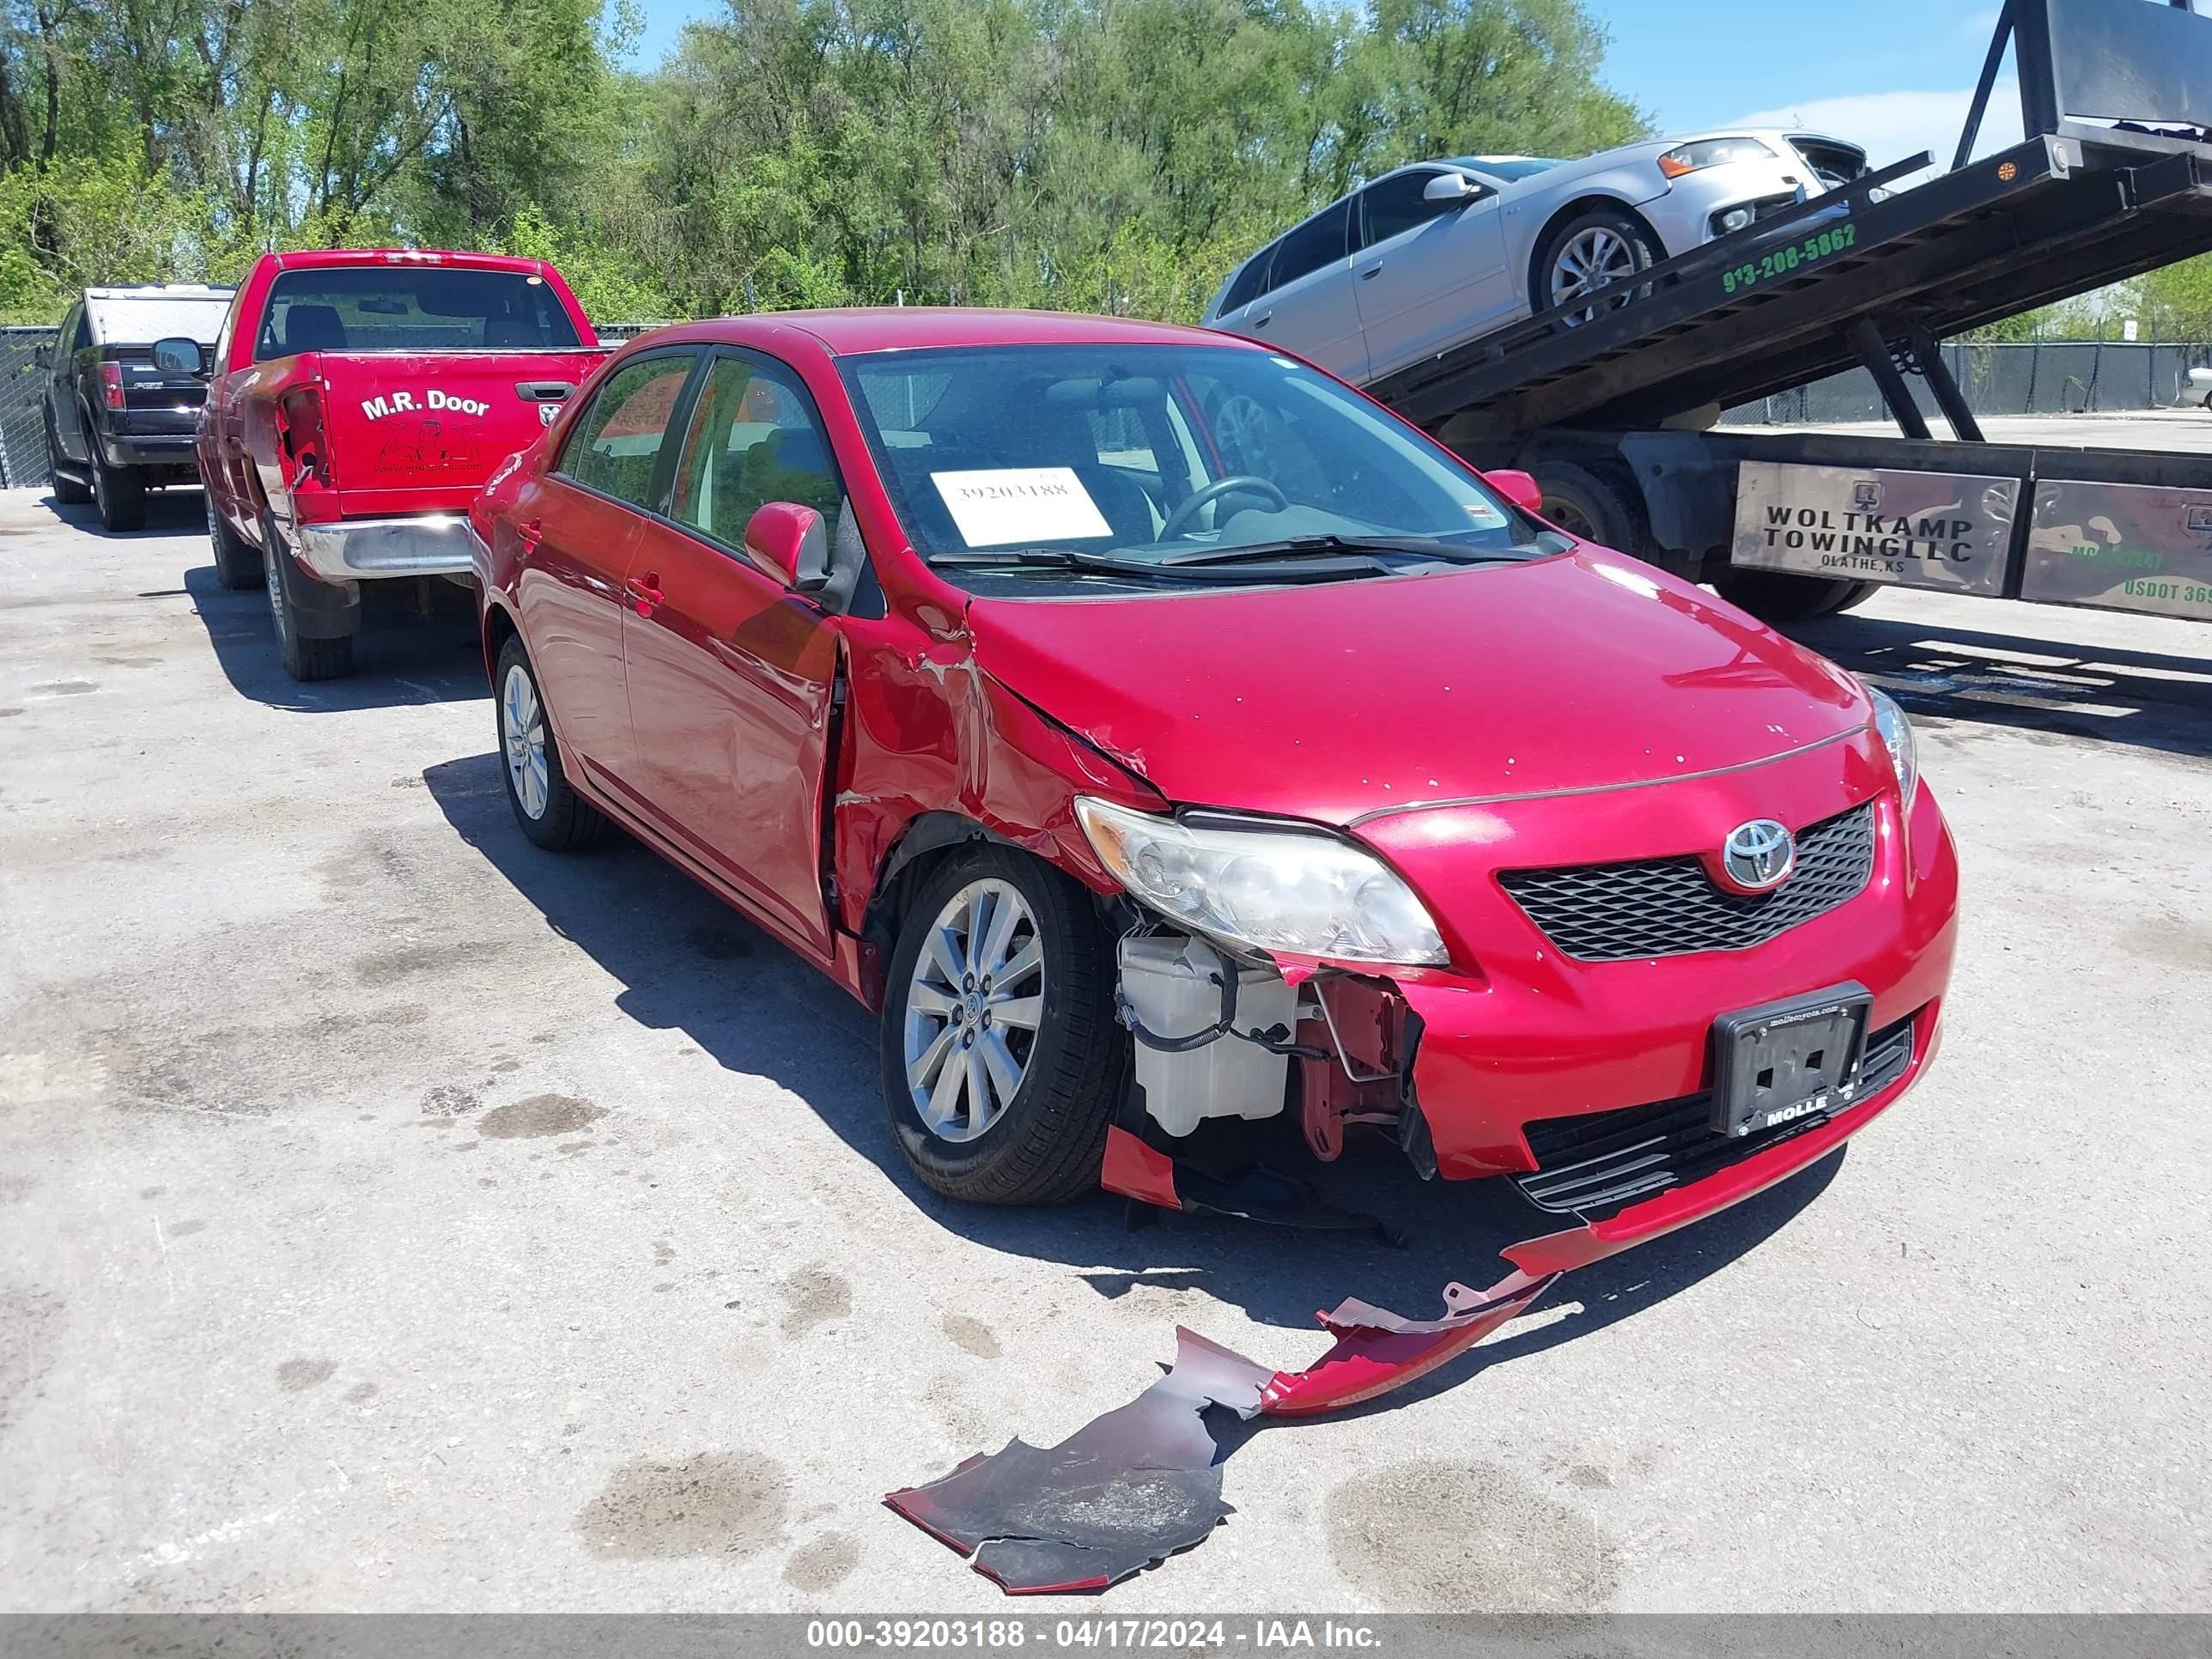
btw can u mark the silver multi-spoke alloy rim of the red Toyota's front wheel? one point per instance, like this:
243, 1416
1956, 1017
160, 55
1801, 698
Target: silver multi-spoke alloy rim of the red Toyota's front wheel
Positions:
974, 1005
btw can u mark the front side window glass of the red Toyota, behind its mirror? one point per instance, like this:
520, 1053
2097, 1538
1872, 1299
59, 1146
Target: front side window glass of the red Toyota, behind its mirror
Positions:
753, 441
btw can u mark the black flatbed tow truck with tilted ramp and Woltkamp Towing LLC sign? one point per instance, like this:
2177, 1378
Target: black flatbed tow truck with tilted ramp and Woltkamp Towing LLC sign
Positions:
1618, 417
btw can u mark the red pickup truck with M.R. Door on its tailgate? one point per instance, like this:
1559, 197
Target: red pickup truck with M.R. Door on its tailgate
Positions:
357, 406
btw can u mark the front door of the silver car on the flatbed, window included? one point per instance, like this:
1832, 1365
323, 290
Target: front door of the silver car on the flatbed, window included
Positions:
1428, 273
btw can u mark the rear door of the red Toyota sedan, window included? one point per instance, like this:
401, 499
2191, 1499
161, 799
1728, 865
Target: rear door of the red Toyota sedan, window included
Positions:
578, 523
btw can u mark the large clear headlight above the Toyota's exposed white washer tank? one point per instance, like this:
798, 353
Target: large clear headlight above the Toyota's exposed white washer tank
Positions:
1275, 890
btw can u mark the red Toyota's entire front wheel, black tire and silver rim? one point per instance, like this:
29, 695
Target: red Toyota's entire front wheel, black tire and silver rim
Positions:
1045, 1140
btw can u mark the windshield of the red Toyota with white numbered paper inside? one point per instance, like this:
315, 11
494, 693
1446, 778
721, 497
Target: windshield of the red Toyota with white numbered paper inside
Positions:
1154, 461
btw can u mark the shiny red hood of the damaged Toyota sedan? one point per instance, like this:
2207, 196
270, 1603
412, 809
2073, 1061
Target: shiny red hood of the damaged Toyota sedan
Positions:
1342, 700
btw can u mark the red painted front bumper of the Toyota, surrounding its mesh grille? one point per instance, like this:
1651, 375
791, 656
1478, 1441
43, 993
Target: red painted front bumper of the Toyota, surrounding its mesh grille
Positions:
1532, 1034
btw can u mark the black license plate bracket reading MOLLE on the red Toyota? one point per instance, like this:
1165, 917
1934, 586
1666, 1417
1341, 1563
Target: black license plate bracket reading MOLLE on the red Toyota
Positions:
1786, 1061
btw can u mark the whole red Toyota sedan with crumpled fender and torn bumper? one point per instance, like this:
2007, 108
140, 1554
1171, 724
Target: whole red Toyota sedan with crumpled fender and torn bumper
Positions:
1158, 731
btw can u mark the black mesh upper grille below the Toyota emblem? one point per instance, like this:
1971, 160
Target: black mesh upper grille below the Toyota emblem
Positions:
1671, 908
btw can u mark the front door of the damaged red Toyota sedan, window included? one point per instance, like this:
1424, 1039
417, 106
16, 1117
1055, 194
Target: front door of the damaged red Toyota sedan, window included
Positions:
731, 674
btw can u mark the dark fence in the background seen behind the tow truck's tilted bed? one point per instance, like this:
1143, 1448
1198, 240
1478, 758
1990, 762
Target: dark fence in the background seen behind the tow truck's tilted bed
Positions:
2014, 379
